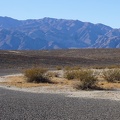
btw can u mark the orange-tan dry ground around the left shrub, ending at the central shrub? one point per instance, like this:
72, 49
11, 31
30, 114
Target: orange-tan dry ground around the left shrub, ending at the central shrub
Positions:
19, 81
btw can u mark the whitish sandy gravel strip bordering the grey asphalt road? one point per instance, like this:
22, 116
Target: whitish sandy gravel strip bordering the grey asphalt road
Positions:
66, 90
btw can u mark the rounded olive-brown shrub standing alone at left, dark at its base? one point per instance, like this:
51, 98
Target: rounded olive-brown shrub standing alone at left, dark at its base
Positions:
36, 75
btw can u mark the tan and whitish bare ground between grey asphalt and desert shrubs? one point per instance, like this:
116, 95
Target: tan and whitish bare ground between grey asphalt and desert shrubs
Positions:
61, 85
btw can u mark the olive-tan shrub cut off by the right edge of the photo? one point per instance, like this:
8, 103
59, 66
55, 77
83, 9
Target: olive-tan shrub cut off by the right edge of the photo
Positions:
112, 75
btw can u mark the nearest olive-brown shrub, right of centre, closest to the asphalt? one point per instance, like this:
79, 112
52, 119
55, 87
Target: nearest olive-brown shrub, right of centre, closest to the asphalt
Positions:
87, 80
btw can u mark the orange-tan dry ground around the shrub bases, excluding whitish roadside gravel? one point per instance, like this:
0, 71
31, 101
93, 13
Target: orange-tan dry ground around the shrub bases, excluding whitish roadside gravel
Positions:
19, 81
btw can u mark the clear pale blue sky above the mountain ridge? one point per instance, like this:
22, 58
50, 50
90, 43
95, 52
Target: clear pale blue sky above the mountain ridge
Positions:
95, 11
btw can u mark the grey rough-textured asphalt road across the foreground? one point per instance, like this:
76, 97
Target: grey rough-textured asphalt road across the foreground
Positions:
15, 105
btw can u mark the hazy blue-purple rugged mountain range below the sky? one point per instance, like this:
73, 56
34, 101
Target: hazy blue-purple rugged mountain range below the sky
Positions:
51, 33
